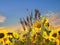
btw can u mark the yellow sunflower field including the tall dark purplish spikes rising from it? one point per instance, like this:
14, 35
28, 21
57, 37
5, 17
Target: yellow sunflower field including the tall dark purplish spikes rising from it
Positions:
37, 31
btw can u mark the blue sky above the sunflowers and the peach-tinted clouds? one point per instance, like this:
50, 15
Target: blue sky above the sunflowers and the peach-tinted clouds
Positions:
15, 9
